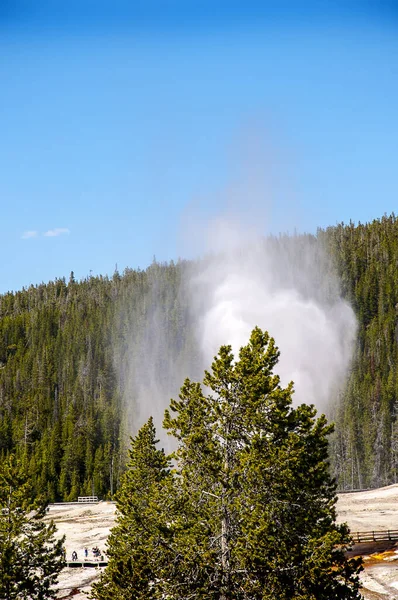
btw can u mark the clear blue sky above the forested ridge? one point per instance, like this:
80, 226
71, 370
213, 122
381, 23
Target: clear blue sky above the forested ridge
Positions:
121, 122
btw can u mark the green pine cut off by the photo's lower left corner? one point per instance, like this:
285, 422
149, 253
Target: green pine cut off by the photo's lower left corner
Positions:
30, 558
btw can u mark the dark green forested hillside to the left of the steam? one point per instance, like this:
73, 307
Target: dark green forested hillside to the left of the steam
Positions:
64, 391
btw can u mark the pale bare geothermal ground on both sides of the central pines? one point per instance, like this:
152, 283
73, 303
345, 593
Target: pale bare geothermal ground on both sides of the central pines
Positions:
87, 526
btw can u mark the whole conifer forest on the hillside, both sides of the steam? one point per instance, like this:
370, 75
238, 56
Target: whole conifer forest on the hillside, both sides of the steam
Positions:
64, 347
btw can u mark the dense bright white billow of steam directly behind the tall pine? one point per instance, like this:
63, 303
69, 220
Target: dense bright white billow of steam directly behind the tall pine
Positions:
285, 285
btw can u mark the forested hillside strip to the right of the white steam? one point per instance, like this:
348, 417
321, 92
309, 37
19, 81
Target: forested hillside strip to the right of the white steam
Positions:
365, 448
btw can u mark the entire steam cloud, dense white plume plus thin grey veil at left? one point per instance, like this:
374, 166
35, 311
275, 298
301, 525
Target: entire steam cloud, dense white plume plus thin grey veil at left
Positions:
286, 285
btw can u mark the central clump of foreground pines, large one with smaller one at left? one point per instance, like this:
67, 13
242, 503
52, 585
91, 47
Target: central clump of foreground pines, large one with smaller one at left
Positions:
249, 511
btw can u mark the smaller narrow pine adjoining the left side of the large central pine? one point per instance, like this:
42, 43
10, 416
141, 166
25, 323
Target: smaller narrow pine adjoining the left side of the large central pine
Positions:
132, 544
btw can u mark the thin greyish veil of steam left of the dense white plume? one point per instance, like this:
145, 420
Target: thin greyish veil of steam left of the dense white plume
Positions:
156, 354
